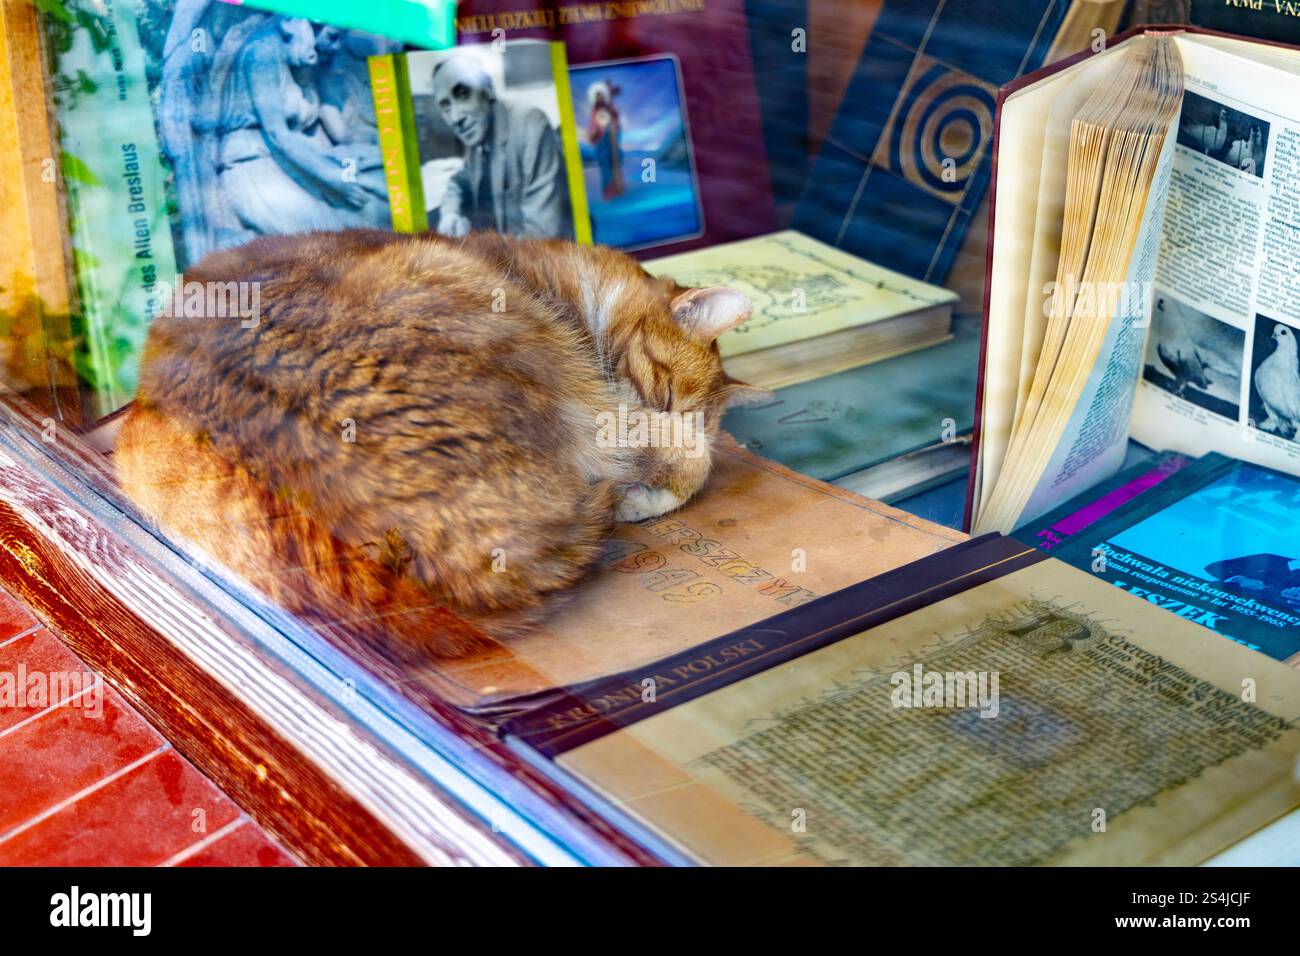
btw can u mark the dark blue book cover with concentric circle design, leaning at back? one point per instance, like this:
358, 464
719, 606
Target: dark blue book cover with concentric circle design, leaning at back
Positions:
907, 163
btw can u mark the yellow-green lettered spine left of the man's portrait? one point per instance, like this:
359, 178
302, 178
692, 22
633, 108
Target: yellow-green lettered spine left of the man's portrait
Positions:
398, 144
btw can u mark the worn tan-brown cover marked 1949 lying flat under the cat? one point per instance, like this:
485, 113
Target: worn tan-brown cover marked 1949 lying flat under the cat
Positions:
757, 540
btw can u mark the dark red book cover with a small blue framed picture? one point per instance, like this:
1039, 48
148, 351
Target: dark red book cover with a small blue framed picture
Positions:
709, 181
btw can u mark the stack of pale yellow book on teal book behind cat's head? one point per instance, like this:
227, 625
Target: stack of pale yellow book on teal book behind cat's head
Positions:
834, 335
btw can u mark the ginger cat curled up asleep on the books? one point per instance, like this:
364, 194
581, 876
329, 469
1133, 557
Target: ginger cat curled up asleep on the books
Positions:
411, 423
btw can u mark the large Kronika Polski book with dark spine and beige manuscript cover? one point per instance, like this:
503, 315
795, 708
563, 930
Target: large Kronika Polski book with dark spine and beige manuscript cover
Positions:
987, 706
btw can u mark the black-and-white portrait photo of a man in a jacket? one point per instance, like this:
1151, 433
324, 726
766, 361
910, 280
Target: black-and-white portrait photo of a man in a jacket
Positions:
489, 137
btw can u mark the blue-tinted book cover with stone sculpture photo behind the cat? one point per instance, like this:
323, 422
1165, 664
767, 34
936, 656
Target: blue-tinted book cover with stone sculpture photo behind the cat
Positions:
267, 123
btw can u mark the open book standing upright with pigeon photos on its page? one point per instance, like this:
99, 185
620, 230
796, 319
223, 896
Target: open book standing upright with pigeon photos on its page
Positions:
1142, 269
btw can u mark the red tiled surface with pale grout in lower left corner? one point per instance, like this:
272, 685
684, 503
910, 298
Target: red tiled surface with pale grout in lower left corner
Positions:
85, 781
